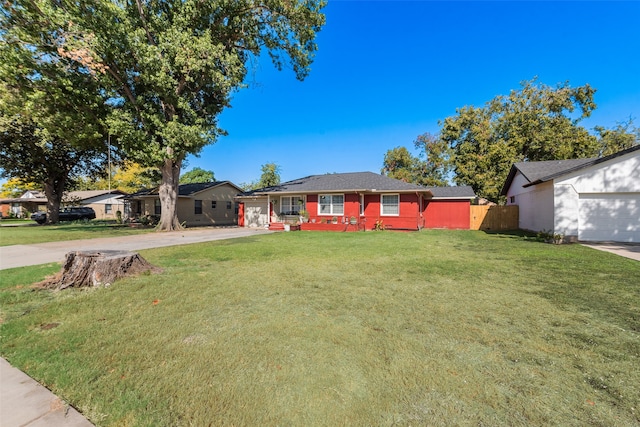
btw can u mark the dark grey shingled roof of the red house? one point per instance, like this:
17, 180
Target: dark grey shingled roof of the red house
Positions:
361, 182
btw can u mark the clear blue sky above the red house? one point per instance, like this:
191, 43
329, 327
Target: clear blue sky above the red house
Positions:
388, 71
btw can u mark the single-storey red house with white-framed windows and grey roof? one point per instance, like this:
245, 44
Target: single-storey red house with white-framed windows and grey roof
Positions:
357, 201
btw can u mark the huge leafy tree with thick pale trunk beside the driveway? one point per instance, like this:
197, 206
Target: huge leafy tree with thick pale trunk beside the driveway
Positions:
171, 66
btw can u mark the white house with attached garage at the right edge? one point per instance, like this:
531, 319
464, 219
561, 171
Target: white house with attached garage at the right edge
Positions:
584, 199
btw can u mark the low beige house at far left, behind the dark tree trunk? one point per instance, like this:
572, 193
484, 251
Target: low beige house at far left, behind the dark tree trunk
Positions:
104, 202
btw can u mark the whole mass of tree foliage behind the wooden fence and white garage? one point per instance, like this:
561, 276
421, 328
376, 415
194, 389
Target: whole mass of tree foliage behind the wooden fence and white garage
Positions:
478, 145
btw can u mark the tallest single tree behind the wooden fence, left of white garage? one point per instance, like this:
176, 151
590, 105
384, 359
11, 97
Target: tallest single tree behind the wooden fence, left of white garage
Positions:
537, 122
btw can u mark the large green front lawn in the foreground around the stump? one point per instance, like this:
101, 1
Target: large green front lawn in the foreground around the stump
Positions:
377, 328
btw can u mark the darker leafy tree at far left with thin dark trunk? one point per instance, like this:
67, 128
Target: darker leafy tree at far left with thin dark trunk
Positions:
52, 109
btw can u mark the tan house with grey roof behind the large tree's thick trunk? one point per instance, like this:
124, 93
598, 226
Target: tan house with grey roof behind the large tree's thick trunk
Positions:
210, 203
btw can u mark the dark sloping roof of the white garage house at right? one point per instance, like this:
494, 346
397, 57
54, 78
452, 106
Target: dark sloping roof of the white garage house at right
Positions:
538, 172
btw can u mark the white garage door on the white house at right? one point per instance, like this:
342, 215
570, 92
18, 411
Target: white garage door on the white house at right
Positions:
609, 217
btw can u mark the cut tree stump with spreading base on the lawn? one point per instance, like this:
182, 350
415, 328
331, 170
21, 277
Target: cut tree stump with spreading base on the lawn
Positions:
96, 268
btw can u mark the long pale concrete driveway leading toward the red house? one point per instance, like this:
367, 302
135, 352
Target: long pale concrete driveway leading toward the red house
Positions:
42, 253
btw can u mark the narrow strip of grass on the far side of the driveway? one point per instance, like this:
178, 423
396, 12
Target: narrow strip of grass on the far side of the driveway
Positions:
30, 232
